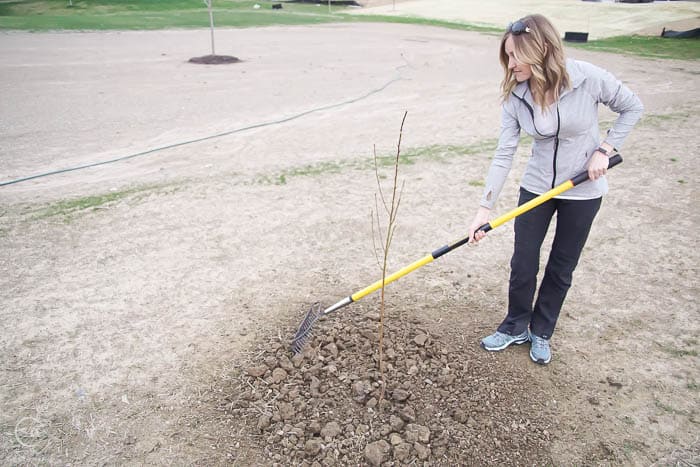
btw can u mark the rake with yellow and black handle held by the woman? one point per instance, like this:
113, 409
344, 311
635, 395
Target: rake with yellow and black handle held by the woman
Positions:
316, 311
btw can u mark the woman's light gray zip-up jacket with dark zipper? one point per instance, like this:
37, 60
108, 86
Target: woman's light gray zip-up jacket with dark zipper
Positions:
560, 156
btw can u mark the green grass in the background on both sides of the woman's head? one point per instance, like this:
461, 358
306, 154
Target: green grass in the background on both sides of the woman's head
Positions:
46, 15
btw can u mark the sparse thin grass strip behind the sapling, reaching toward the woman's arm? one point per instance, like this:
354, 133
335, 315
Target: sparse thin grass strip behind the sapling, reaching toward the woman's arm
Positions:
436, 152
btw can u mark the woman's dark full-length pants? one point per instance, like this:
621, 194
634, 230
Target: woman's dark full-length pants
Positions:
574, 219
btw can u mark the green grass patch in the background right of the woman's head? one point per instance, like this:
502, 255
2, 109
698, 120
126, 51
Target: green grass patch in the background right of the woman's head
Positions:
646, 46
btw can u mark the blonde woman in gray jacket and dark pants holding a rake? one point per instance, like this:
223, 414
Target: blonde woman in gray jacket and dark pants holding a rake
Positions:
555, 100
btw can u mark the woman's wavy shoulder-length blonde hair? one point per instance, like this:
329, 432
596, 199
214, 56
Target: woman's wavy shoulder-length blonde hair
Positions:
543, 50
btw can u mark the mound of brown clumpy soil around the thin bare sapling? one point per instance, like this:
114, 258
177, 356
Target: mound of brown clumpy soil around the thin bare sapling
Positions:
441, 400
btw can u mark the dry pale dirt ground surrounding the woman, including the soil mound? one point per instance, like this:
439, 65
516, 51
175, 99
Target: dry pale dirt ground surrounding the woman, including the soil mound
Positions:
148, 303
